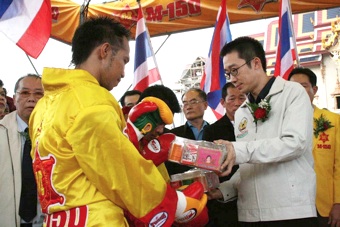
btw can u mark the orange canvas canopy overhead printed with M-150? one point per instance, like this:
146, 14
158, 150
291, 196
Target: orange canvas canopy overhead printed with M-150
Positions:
170, 16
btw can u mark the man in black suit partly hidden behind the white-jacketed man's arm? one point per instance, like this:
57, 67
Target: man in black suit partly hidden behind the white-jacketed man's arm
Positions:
224, 214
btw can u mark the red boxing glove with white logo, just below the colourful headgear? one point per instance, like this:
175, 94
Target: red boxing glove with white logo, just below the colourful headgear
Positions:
157, 149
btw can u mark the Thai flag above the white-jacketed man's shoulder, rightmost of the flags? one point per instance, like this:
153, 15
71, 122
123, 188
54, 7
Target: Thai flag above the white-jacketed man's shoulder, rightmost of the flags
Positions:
286, 48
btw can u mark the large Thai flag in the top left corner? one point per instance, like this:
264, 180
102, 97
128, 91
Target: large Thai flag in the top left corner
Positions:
27, 23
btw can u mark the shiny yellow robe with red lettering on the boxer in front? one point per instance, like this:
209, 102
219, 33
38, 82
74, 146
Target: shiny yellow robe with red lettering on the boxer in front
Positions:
86, 169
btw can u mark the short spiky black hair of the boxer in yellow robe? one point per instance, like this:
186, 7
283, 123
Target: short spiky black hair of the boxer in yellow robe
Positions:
94, 32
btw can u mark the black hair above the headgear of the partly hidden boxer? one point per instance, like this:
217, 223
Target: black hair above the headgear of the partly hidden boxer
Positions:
165, 94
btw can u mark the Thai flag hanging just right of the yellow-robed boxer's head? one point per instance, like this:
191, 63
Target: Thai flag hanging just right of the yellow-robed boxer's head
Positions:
146, 70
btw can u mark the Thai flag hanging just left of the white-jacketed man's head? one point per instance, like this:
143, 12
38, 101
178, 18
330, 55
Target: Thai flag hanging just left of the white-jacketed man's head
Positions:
213, 78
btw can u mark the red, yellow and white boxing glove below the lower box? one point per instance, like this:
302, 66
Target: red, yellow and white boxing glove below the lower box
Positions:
193, 212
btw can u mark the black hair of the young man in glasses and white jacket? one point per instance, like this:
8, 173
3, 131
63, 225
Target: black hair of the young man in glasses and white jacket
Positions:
247, 49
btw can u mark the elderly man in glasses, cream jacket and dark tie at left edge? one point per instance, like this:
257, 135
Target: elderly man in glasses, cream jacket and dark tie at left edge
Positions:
19, 200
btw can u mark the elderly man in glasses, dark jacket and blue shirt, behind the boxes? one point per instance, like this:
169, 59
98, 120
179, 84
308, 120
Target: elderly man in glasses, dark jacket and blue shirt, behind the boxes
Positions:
194, 104
